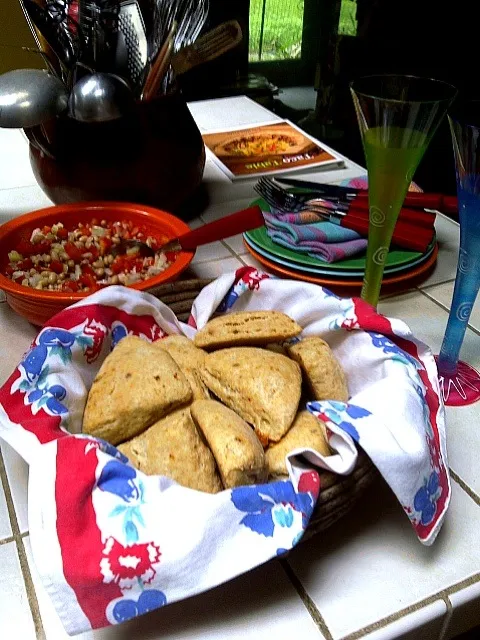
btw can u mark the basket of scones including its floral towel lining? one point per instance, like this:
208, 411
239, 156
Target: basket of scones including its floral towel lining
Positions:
166, 457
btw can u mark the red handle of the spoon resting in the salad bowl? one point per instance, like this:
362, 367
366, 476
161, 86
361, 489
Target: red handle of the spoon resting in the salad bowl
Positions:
231, 225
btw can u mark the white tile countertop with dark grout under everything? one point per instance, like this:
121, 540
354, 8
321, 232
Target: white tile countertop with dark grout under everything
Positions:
367, 576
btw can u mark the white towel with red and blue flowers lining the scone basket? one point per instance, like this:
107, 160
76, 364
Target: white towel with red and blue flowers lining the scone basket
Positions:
111, 543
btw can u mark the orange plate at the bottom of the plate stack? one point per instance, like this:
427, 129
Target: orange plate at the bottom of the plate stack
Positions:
345, 283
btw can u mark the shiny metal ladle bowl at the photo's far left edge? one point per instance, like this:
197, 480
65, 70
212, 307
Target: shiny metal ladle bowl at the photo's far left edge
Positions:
29, 97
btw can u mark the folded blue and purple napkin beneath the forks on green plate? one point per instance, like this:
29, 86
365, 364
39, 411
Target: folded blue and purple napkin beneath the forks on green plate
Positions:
308, 233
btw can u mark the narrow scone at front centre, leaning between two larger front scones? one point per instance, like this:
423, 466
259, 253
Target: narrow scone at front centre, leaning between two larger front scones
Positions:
235, 447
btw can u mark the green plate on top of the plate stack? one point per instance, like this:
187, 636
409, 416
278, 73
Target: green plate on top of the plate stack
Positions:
396, 257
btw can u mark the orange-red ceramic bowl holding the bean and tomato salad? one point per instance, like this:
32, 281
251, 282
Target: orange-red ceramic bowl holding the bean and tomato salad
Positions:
38, 306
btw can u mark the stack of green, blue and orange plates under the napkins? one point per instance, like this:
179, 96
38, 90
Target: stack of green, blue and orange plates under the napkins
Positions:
401, 265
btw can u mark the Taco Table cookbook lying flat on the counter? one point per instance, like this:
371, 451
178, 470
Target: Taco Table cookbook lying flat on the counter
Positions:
271, 148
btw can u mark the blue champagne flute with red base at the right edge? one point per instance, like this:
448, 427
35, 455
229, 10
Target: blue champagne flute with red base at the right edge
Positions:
460, 383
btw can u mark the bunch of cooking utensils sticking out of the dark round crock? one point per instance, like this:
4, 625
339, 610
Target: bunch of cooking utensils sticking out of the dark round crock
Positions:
103, 56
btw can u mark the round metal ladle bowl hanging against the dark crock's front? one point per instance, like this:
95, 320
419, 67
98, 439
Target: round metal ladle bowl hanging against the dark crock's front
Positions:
100, 97
